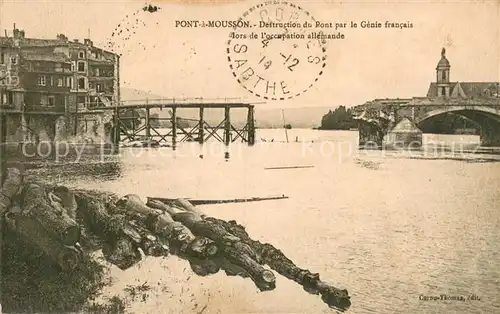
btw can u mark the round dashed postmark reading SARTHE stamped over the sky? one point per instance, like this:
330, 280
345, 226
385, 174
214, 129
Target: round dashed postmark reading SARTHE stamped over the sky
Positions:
271, 53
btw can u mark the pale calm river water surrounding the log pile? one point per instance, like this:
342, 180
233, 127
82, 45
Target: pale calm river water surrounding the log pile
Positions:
390, 227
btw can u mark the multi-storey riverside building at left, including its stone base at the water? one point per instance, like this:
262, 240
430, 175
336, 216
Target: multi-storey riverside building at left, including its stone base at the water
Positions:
53, 88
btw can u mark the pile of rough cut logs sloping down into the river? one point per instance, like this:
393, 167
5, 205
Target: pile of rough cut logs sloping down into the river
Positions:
68, 224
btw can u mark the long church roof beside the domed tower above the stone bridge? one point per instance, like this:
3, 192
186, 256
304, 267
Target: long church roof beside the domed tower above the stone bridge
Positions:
468, 89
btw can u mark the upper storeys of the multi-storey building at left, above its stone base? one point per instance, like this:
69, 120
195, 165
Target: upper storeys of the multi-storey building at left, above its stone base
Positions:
55, 76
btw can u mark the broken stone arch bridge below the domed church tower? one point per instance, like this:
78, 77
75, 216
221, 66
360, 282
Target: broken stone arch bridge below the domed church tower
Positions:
380, 118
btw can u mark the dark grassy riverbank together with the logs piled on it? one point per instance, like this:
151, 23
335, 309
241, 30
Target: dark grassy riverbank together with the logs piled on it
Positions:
61, 229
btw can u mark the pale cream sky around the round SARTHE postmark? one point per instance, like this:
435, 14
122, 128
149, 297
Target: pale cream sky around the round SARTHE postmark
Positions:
192, 62
